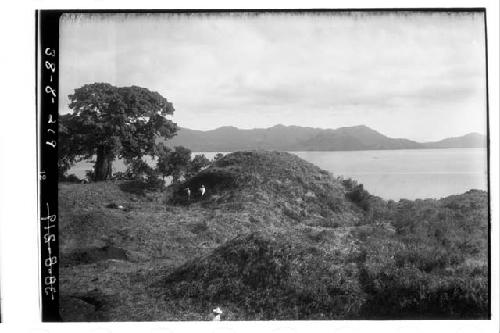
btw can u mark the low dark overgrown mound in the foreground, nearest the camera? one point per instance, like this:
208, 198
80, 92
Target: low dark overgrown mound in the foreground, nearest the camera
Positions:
268, 277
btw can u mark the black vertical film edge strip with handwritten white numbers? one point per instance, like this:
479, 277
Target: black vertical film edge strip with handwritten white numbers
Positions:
48, 71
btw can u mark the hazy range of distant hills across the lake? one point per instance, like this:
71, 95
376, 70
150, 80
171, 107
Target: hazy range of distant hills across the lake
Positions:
296, 138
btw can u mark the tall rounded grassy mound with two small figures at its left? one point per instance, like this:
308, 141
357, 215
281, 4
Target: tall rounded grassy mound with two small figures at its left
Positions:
281, 181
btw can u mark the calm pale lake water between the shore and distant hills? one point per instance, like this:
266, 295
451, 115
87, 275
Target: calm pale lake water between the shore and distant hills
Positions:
393, 174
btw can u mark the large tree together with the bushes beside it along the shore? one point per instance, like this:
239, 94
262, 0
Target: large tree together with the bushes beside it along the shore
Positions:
130, 123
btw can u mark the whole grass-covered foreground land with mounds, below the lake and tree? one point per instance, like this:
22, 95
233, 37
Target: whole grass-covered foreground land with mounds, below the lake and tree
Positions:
274, 237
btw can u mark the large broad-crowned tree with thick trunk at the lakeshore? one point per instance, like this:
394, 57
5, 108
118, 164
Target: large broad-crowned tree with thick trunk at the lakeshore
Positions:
109, 122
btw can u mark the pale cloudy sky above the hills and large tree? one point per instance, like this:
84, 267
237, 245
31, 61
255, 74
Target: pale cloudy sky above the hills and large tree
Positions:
416, 76
